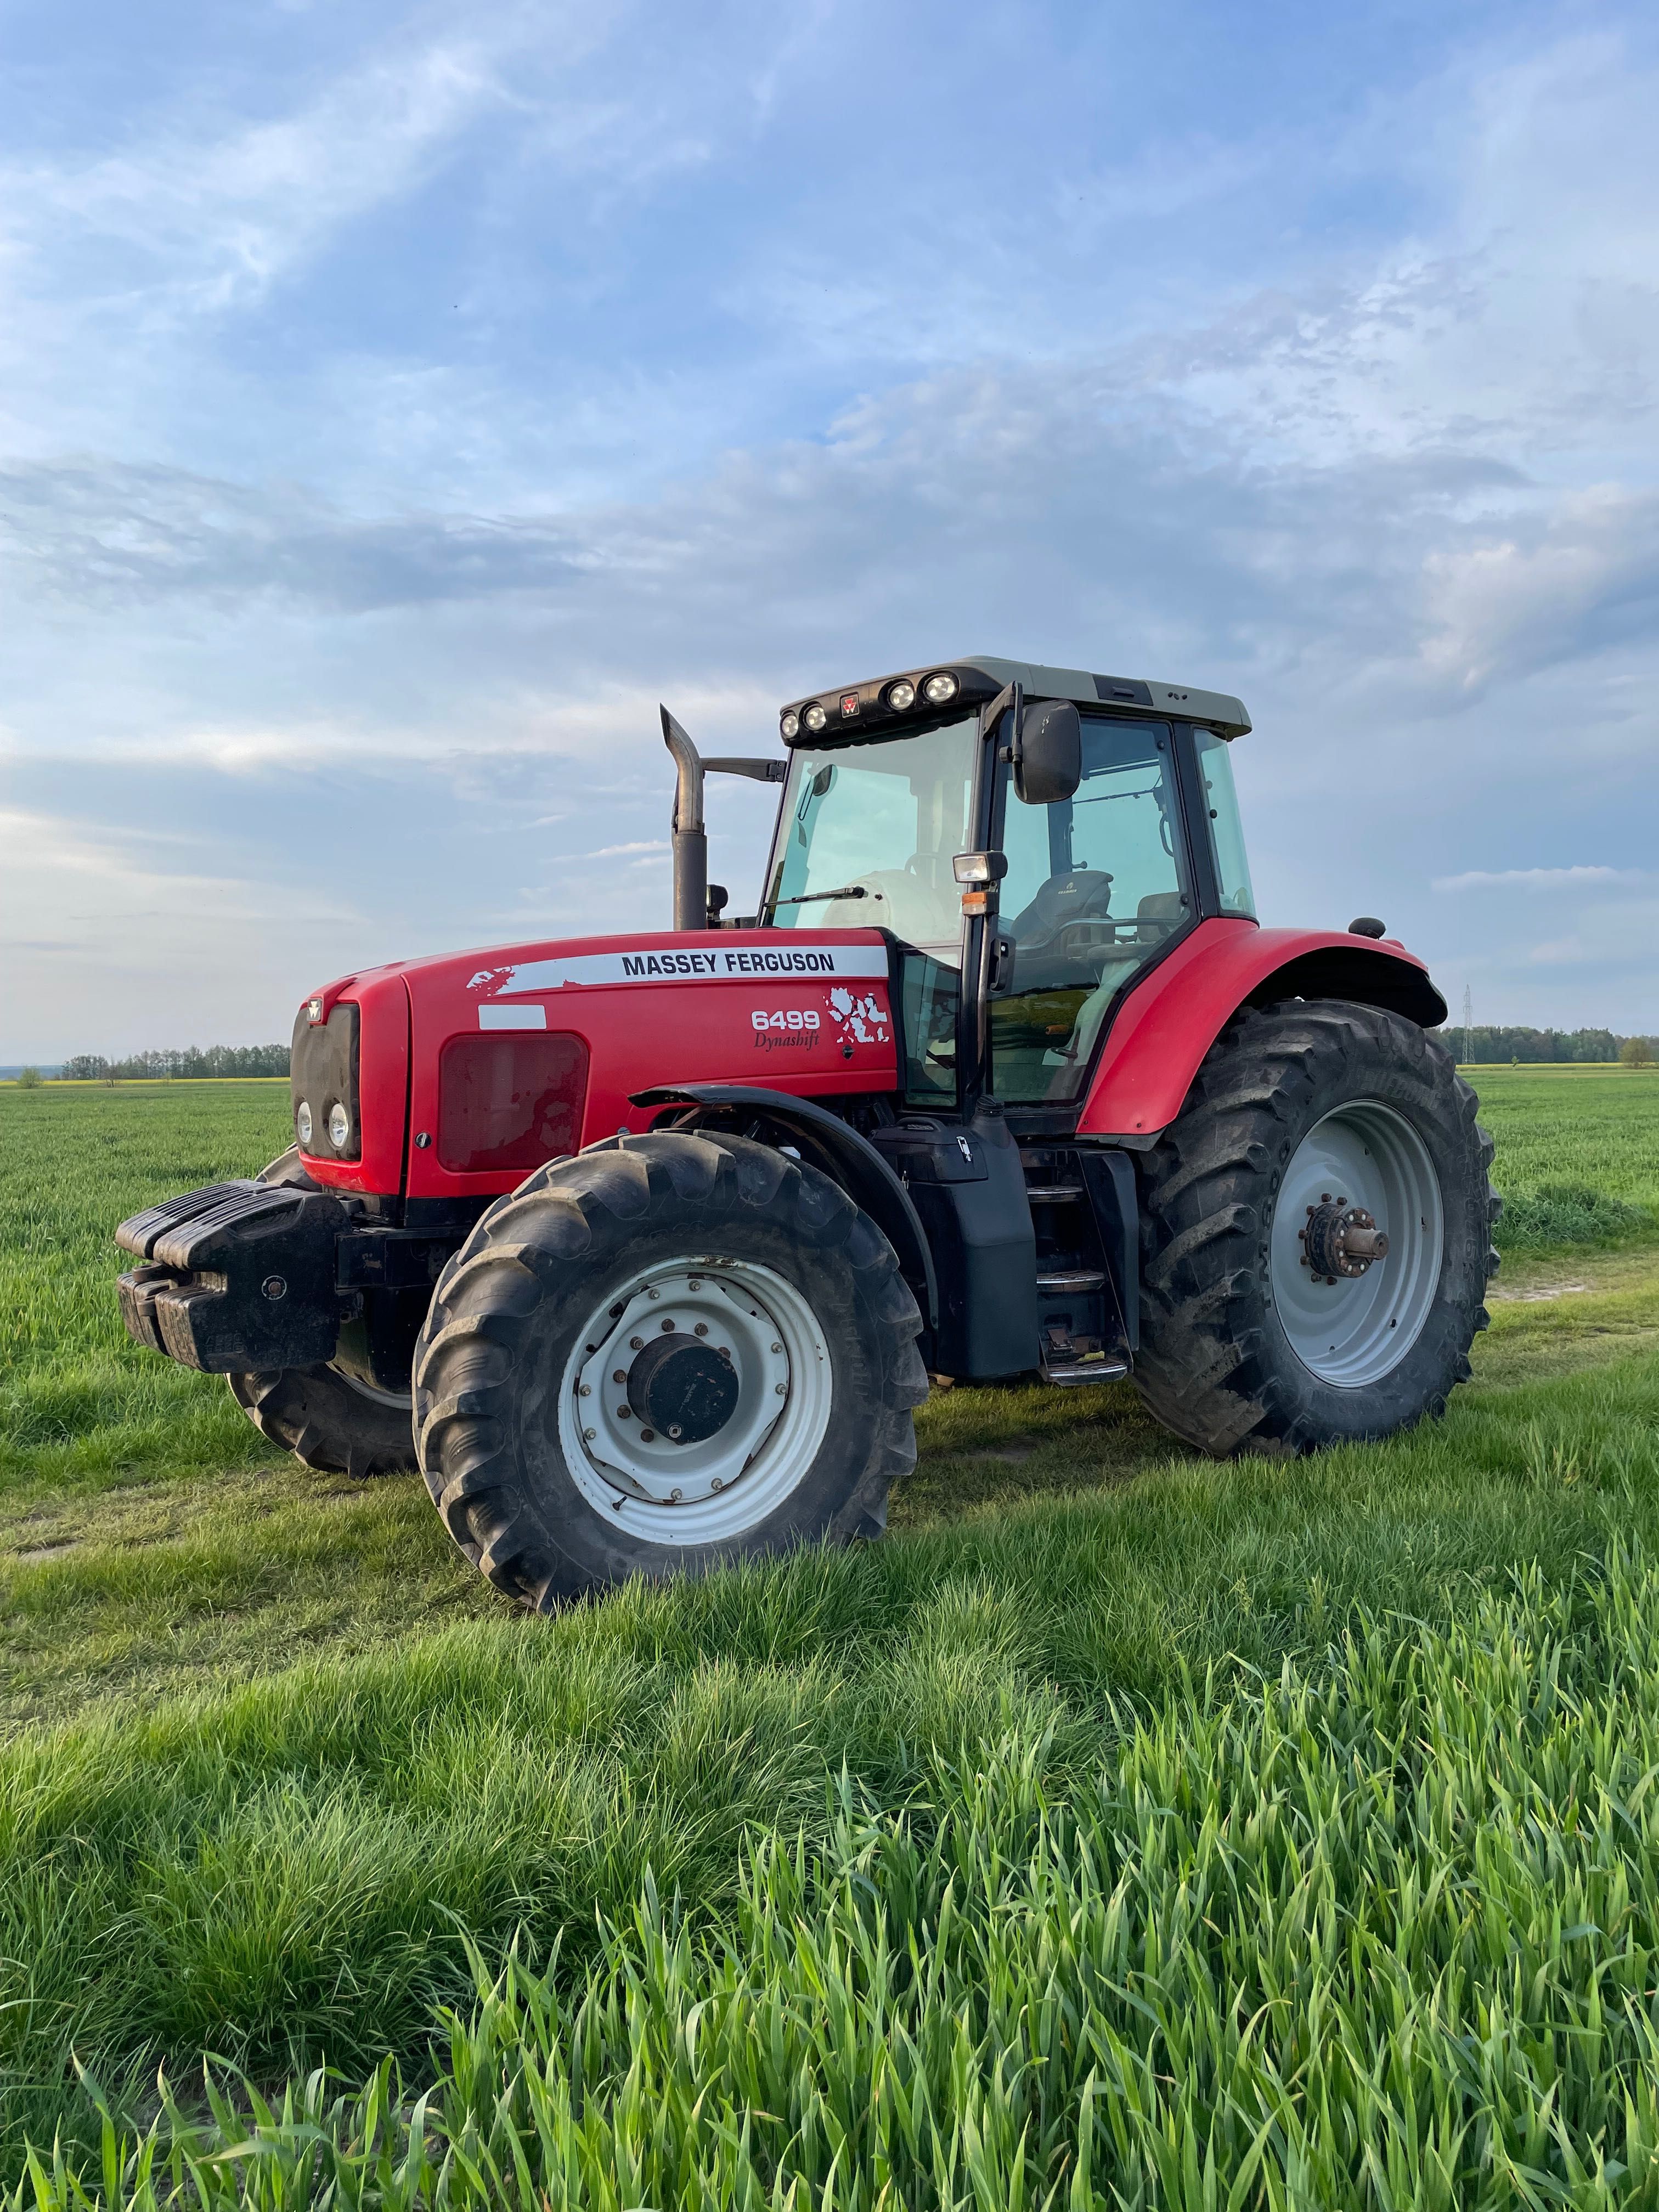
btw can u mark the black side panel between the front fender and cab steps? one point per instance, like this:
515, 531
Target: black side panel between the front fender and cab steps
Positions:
970, 1189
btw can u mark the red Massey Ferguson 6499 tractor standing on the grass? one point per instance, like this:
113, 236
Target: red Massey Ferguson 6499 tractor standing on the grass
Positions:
645, 1249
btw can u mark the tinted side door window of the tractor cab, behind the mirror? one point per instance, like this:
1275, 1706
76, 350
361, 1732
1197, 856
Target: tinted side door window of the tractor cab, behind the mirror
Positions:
1096, 886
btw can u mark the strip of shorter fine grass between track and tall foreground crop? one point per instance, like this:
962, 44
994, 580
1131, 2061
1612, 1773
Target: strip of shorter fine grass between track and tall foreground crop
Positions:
291, 1870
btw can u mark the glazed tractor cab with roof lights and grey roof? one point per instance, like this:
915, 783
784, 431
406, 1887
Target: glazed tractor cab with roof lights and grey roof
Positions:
1036, 839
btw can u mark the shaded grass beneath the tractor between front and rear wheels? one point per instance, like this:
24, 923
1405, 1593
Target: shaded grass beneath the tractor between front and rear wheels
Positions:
1001, 1443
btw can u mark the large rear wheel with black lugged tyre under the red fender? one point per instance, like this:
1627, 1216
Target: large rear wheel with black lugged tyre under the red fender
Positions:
1246, 1348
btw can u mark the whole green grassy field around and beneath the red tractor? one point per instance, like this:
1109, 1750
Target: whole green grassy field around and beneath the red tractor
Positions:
1123, 1819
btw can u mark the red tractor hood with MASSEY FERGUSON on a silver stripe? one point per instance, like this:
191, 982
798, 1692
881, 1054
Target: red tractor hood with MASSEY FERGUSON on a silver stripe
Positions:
486, 1065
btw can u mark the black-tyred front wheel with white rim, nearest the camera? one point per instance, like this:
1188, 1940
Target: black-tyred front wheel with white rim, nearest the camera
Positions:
541, 1461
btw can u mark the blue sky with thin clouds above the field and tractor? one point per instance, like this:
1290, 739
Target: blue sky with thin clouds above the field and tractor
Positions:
399, 401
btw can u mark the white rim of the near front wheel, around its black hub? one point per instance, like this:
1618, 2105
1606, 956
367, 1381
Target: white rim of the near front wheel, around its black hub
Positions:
705, 1492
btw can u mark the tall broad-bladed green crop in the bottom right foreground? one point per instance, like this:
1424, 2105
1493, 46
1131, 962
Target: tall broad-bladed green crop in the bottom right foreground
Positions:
1370, 1932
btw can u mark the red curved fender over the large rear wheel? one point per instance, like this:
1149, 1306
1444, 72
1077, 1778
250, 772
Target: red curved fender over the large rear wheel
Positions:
1171, 1021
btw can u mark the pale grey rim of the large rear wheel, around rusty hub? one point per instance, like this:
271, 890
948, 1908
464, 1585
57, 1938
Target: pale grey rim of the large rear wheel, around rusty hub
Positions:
1361, 1328
